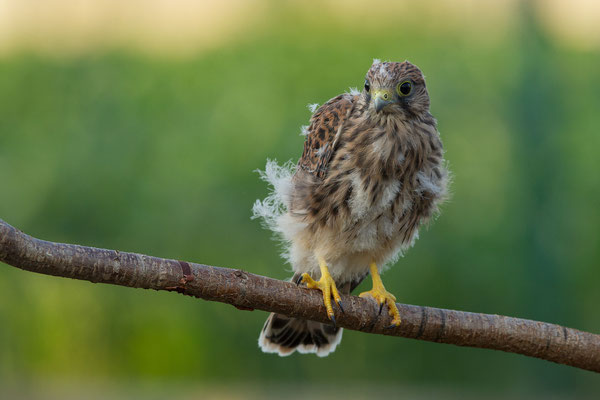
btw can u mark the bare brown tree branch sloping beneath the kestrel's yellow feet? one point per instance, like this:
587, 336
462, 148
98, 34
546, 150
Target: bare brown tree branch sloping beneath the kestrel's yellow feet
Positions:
248, 291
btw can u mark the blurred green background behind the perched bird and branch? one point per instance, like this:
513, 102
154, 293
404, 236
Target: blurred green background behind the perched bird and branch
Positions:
137, 126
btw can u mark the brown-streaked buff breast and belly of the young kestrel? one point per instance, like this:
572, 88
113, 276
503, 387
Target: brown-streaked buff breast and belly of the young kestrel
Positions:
385, 179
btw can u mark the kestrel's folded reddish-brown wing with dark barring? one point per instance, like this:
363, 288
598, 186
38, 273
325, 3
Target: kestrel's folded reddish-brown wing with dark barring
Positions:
323, 132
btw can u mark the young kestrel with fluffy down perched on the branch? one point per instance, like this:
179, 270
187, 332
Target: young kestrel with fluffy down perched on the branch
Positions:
371, 173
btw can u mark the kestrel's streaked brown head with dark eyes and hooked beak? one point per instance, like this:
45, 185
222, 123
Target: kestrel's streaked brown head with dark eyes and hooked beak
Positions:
395, 88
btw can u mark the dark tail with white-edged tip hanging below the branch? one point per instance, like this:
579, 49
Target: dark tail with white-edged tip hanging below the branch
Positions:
284, 335
